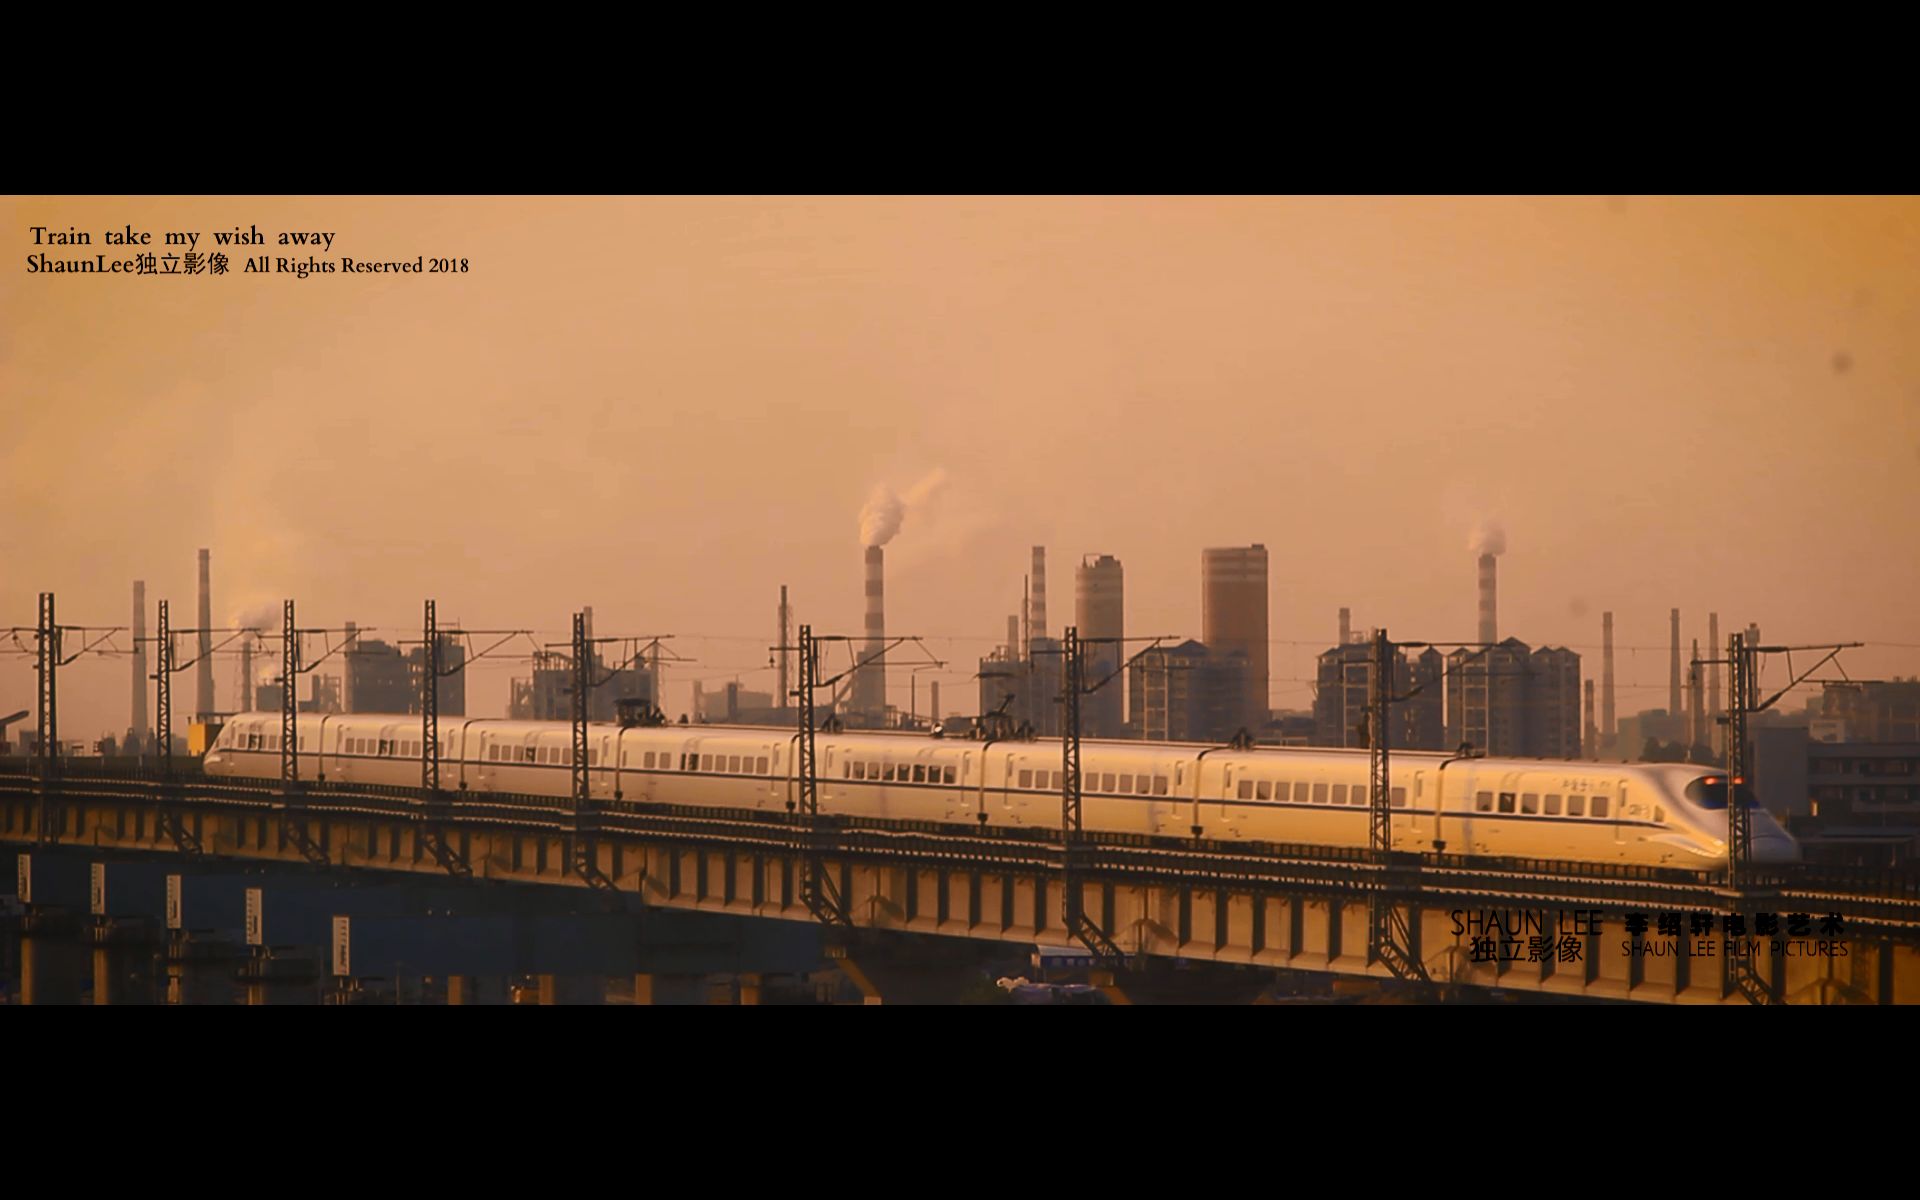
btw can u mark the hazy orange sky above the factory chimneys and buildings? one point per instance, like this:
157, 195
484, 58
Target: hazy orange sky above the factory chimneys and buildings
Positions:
669, 408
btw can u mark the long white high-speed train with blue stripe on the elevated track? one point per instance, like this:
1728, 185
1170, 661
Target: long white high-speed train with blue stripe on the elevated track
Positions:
1643, 813
